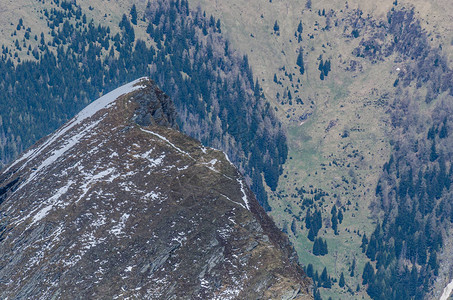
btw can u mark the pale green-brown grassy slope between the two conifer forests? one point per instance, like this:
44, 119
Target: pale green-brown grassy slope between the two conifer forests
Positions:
350, 100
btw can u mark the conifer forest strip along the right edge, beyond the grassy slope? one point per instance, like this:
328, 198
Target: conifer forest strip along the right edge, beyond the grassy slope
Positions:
414, 190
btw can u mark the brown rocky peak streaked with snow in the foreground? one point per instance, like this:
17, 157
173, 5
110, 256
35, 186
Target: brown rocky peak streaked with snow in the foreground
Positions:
119, 204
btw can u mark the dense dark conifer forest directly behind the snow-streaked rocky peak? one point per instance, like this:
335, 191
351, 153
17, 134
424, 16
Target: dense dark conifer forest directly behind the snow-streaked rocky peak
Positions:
217, 97
